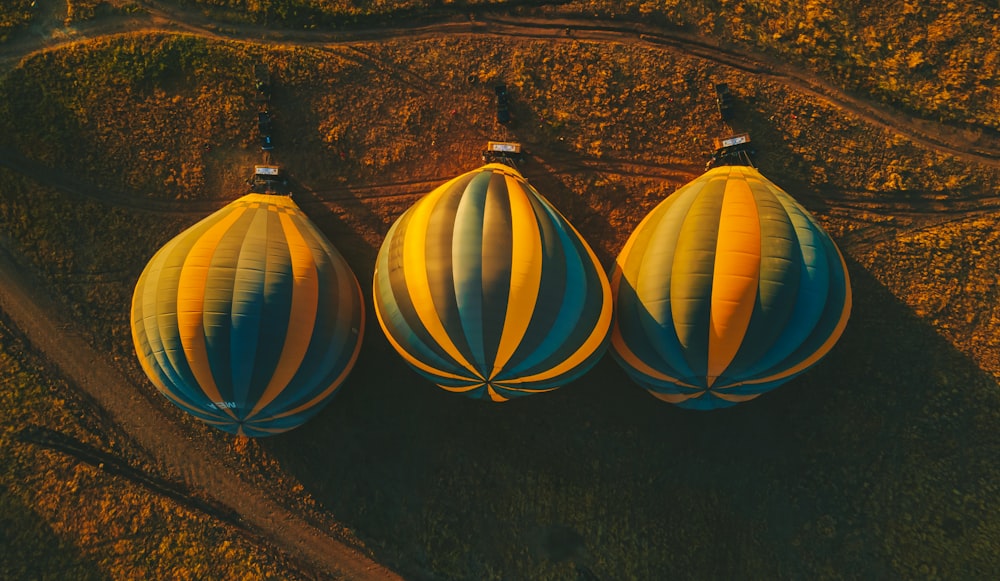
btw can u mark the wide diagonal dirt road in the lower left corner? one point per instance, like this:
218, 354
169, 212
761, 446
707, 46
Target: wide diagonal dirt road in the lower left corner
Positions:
42, 323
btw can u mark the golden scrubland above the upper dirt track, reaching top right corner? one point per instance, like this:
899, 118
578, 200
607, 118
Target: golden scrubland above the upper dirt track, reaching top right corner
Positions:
934, 58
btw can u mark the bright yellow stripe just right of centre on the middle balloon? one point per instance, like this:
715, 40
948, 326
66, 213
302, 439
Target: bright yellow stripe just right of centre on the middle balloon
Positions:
525, 276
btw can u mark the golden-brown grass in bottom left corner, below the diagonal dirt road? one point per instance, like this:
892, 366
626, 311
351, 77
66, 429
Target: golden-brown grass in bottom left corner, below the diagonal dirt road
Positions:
61, 518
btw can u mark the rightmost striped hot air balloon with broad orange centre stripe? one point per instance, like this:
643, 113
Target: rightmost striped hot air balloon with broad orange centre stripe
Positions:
727, 289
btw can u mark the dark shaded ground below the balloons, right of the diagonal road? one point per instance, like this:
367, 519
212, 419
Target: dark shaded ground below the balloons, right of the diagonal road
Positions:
880, 462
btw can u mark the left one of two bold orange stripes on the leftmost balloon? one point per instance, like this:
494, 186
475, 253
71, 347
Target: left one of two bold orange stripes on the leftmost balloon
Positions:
191, 300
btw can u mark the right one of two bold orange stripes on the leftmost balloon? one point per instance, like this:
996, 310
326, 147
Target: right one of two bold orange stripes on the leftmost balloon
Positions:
301, 319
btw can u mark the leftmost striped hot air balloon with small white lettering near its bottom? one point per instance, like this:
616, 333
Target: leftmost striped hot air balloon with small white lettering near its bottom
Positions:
250, 319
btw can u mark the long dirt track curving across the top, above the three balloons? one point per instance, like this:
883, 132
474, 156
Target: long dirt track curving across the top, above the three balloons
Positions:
160, 18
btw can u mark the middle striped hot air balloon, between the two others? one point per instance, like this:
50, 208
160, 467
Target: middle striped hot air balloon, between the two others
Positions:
484, 288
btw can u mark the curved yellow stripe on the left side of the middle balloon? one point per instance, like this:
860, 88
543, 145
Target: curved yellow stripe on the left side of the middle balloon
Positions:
417, 283
